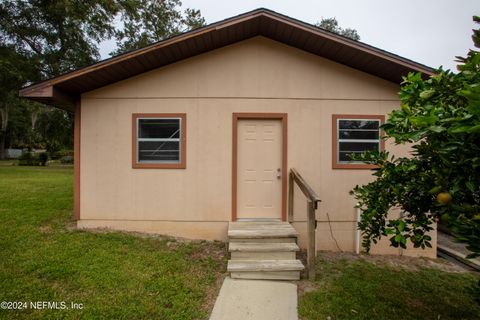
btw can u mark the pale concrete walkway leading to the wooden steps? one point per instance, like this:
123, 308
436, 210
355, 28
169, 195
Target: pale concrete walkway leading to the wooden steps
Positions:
256, 299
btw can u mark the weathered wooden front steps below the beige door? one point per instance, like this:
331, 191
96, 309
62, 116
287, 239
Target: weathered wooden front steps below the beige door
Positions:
263, 250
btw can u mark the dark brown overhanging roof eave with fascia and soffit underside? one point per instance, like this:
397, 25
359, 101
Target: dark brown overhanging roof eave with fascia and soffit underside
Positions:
50, 91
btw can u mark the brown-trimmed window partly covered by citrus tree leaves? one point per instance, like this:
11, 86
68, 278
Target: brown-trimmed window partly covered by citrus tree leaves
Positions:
355, 134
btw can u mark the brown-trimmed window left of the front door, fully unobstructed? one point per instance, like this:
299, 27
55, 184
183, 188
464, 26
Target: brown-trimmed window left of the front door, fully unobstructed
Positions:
159, 141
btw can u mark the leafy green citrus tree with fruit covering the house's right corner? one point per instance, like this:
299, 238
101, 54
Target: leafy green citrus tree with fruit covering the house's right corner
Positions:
441, 181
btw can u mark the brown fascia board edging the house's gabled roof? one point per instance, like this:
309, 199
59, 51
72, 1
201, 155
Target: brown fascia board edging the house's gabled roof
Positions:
40, 91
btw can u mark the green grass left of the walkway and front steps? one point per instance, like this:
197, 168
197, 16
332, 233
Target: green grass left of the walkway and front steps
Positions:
113, 275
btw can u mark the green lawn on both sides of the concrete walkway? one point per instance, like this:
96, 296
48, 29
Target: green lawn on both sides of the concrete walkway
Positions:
125, 276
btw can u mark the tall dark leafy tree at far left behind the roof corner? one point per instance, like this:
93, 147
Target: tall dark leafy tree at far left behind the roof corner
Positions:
49, 38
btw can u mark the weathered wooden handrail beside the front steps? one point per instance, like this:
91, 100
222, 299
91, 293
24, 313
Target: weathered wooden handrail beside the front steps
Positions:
312, 204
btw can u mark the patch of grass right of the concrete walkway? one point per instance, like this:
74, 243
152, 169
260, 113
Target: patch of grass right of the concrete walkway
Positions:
362, 289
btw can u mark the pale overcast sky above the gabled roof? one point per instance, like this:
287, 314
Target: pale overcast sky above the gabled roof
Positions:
431, 32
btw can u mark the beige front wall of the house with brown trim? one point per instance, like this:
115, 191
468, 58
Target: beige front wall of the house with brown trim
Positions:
257, 75
